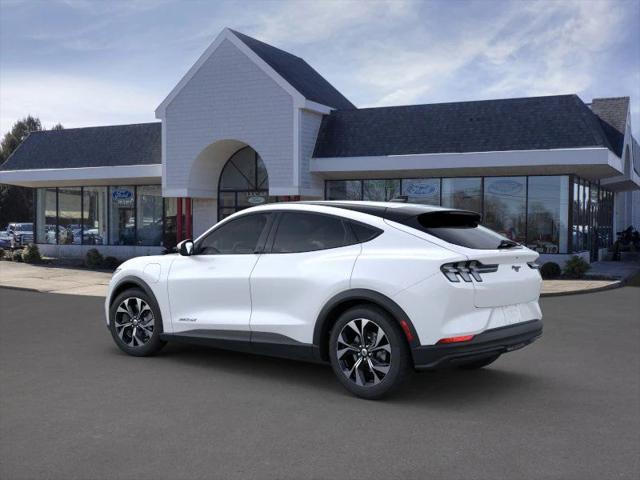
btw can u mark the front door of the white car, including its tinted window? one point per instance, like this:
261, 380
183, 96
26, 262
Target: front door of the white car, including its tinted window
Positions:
209, 290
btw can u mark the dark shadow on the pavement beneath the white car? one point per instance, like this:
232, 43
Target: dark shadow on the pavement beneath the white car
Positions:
446, 389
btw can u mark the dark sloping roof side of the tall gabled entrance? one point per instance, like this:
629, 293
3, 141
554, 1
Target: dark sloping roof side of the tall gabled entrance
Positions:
298, 73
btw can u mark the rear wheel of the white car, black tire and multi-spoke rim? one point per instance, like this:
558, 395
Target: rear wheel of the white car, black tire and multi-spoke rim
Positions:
383, 367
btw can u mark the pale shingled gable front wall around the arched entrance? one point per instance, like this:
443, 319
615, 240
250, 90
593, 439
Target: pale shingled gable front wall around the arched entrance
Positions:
228, 98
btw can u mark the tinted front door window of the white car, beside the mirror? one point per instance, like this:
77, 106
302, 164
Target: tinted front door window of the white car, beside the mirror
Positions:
237, 237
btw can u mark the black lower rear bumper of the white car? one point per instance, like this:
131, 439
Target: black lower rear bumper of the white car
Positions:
486, 344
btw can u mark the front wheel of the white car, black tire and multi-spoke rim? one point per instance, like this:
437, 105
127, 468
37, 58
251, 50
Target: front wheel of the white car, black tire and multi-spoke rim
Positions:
139, 337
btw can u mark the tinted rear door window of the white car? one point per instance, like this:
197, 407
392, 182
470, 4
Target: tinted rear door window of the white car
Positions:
306, 232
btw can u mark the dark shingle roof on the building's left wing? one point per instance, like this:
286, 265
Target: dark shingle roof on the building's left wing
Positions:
89, 147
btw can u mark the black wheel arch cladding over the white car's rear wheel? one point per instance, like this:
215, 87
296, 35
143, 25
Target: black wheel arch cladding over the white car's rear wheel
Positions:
350, 298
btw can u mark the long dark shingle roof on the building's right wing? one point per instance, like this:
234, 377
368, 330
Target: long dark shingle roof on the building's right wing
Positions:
533, 123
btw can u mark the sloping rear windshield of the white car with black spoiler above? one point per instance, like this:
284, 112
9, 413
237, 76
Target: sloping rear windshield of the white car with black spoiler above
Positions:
461, 228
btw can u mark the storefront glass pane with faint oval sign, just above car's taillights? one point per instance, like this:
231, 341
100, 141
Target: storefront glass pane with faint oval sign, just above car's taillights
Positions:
505, 206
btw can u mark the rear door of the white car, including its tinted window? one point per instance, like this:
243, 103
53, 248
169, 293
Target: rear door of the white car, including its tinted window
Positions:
308, 259
